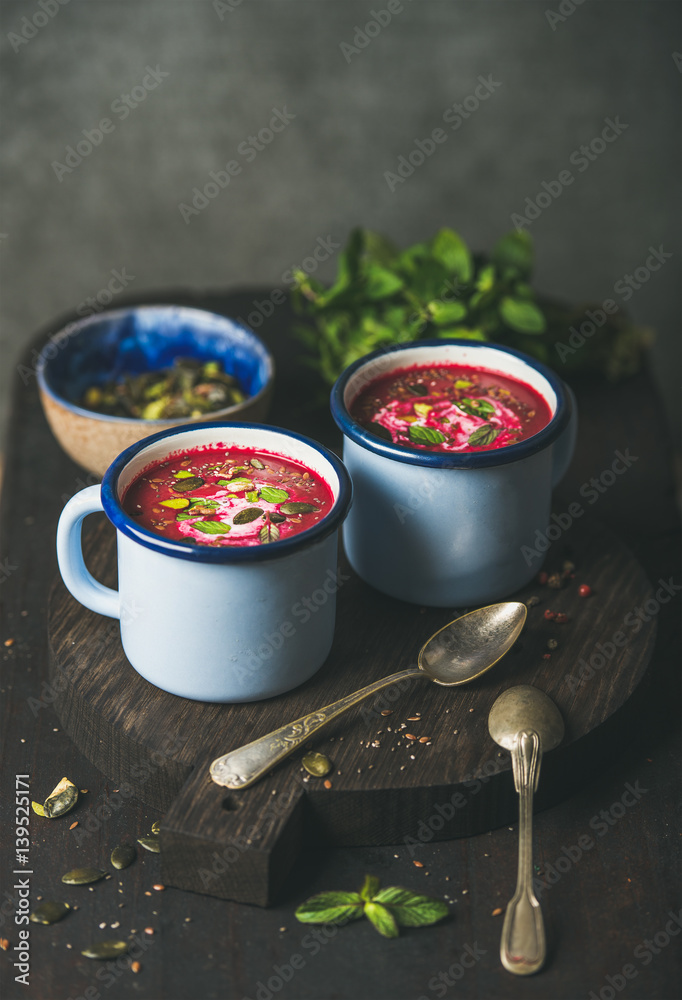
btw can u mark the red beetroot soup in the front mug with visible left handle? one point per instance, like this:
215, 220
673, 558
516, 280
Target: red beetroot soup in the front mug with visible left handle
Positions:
227, 496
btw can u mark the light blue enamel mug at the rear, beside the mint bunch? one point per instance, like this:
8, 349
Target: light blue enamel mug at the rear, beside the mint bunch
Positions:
451, 529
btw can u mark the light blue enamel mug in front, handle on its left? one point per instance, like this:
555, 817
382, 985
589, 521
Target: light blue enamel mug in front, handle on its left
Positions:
227, 624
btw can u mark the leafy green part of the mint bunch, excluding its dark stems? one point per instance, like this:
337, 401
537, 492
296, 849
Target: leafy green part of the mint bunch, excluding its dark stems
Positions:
383, 295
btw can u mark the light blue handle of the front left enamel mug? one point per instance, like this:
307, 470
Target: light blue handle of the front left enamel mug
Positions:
77, 578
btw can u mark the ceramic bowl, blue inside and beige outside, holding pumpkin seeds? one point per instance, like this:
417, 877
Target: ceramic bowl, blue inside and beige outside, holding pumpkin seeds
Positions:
140, 339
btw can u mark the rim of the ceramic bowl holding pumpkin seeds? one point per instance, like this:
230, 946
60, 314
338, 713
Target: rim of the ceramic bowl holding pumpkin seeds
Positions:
77, 326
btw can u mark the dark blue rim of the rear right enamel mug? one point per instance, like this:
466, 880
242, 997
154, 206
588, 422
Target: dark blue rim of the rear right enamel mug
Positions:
451, 460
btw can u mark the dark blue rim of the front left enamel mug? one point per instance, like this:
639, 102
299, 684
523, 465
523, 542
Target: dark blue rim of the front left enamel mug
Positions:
232, 554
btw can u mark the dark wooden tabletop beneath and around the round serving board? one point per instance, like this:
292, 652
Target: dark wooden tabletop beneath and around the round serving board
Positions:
612, 910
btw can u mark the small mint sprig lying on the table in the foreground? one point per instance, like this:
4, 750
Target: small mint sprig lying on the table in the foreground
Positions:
388, 909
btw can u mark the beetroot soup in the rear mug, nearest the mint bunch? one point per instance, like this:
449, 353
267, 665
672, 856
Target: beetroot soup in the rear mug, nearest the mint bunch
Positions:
450, 408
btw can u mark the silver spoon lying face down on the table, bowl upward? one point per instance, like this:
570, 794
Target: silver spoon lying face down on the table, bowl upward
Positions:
526, 722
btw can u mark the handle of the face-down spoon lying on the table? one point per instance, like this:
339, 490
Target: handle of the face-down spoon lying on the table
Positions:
523, 948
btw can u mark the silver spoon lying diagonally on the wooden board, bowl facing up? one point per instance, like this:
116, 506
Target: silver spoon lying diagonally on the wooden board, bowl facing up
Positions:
456, 654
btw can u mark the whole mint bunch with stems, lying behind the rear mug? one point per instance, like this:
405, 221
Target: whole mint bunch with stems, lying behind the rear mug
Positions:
383, 295
